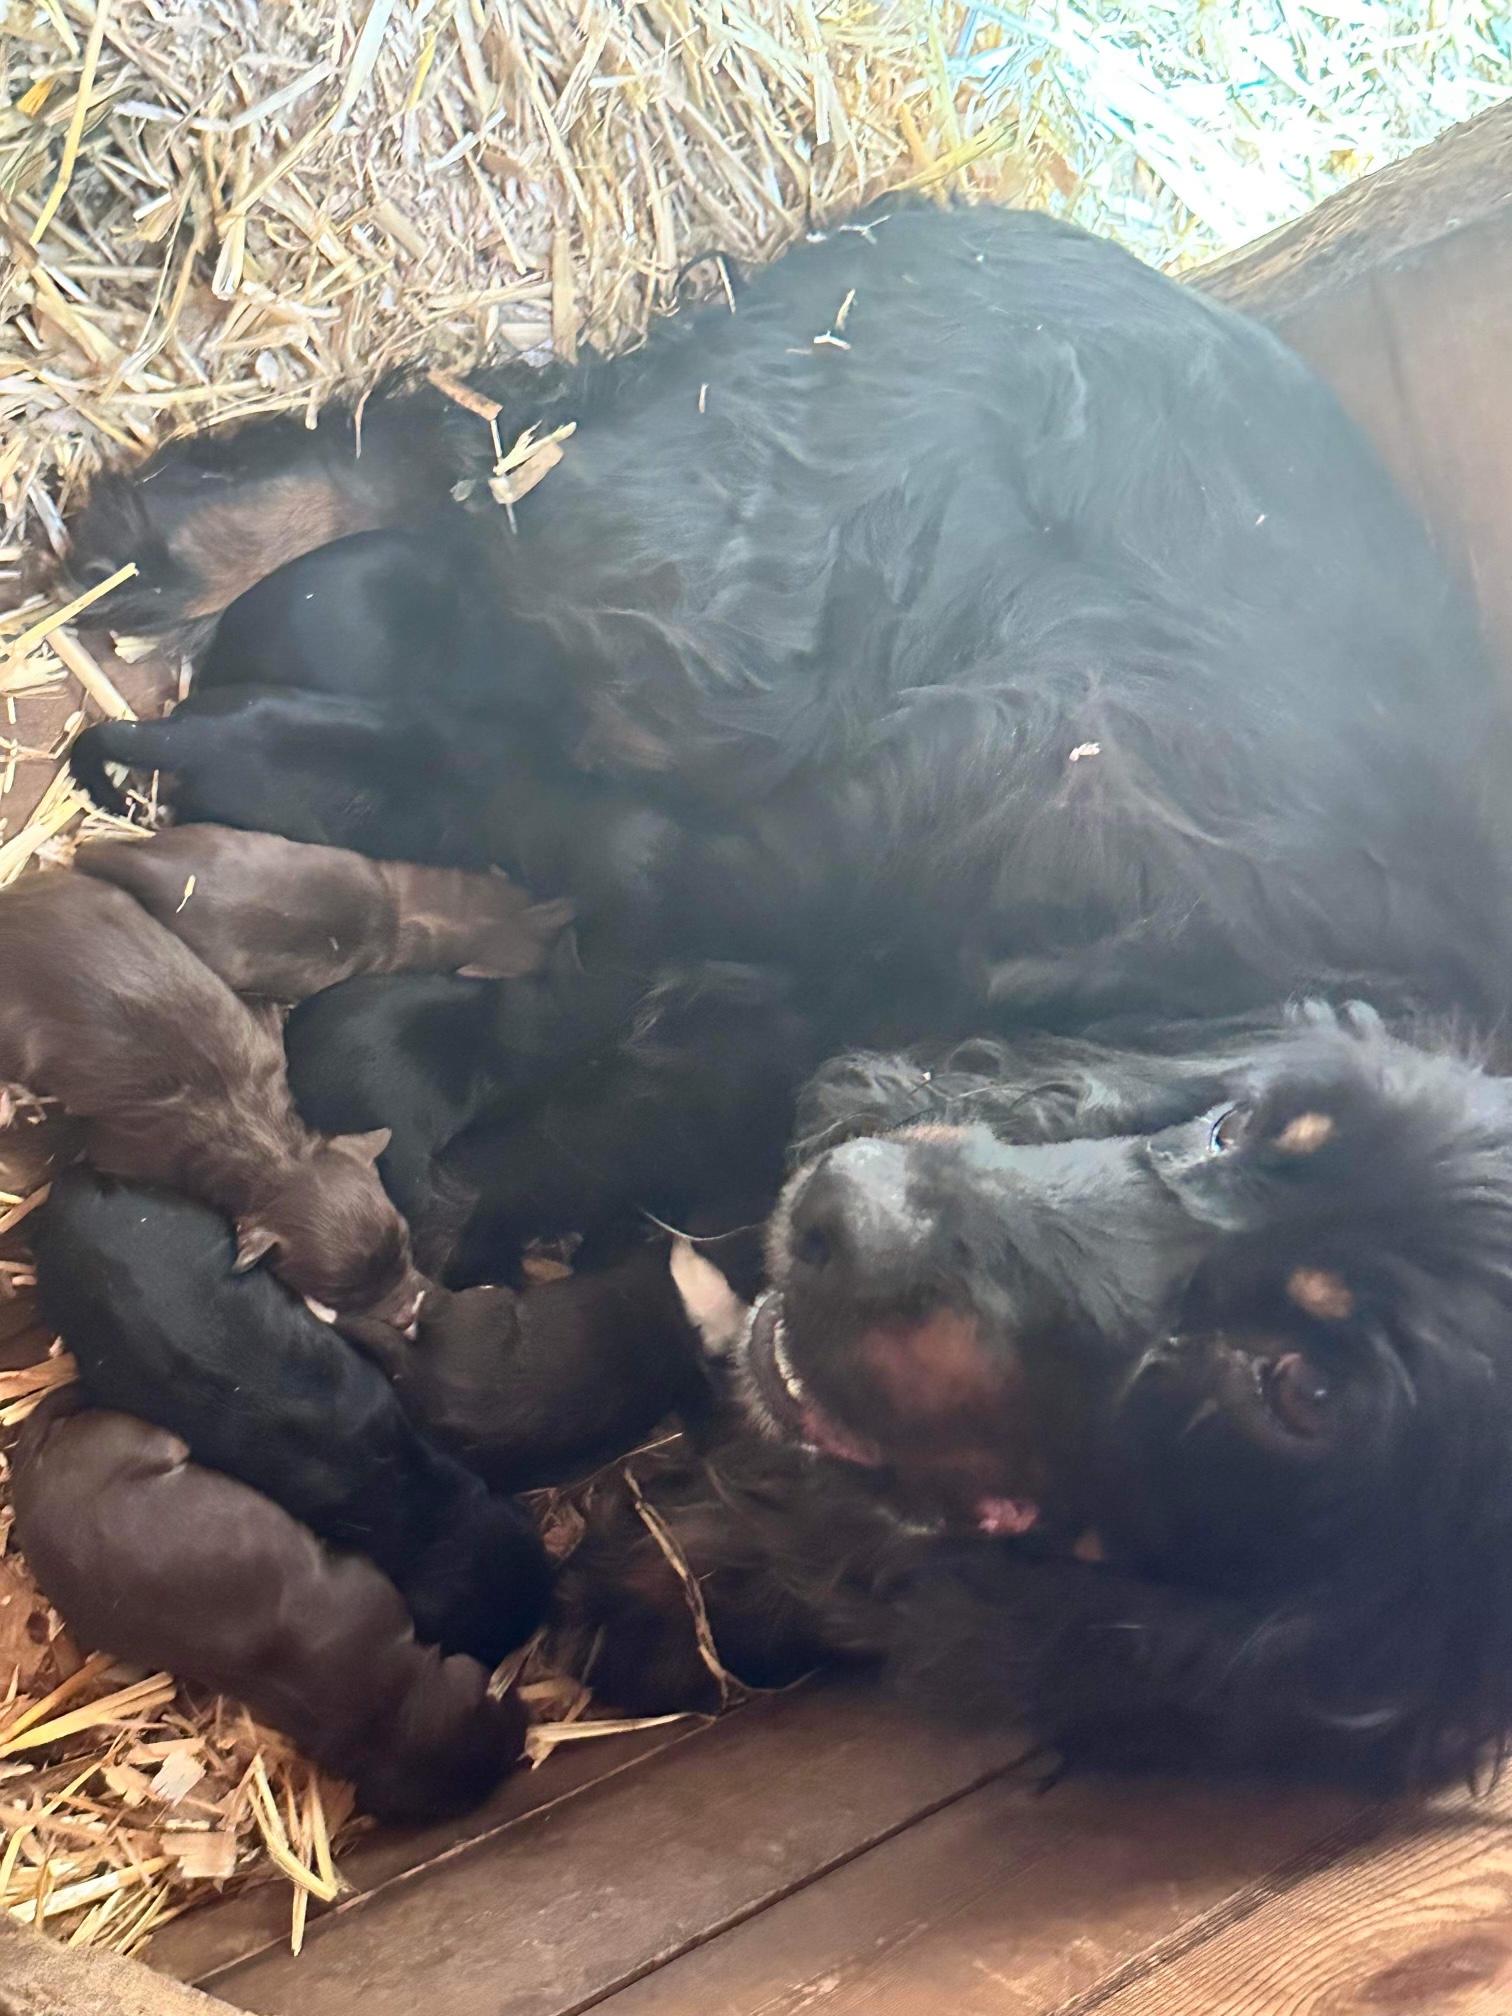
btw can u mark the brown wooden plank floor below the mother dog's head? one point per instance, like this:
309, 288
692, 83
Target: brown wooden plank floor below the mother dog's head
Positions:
824, 1856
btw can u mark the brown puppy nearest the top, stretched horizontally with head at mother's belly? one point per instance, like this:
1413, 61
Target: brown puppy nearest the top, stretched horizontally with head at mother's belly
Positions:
283, 920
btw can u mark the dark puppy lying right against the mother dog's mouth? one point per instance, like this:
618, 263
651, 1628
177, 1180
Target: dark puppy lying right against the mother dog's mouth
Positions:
531, 1388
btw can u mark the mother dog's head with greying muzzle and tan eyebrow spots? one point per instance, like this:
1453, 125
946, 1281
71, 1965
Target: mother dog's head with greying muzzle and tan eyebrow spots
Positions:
1237, 1328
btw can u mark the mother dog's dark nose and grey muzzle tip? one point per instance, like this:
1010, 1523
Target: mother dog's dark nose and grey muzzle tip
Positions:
854, 1227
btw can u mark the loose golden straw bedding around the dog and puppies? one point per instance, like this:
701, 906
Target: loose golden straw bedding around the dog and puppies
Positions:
215, 209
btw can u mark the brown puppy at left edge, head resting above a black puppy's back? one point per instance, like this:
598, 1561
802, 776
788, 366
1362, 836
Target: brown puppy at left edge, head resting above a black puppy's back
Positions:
180, 1084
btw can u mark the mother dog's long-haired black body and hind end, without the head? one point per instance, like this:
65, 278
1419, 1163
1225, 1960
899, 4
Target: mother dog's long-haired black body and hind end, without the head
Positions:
1047, 644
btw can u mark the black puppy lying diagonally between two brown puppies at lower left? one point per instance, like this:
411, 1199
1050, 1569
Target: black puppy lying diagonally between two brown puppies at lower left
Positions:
142, 1289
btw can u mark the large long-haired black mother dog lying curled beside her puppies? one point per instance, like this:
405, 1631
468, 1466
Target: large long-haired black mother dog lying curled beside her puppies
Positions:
1045, 648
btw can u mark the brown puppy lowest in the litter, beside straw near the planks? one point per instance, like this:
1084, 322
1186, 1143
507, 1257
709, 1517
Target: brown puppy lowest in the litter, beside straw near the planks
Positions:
164, 1563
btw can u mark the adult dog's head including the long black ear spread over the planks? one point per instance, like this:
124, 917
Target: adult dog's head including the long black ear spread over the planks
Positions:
1162, 1402
